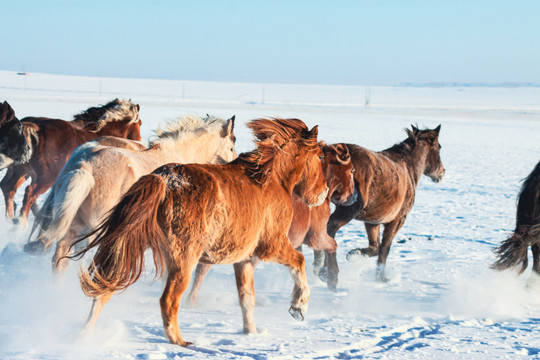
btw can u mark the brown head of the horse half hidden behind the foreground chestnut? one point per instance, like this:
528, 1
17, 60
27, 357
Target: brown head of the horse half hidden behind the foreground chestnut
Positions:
339, 171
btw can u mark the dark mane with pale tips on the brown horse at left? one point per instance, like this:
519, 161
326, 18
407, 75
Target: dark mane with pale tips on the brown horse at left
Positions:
115, 110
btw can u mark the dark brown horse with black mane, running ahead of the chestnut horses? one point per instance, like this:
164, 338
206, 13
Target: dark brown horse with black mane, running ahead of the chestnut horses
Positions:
386, 182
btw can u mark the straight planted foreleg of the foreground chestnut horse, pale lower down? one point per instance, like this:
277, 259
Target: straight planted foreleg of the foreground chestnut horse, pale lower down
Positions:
243, 272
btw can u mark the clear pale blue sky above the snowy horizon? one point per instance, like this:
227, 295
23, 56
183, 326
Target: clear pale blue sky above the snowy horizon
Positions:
372, 42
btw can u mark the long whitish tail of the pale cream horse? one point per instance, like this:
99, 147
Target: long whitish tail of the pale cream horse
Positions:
60, 208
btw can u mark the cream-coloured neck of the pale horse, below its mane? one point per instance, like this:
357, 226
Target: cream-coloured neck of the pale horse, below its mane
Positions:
187, 149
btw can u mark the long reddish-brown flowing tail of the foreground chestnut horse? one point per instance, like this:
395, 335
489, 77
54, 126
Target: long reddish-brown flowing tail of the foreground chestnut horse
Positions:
122, 238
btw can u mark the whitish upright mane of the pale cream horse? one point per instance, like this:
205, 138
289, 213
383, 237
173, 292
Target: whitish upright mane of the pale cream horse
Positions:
187, 125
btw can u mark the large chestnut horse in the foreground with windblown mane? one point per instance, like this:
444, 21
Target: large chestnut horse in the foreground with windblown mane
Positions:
215, 214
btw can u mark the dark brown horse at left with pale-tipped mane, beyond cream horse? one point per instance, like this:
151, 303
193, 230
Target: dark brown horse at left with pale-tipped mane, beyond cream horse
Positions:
53, 141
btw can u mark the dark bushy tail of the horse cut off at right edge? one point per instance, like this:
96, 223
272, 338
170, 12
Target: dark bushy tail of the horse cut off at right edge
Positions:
512, 253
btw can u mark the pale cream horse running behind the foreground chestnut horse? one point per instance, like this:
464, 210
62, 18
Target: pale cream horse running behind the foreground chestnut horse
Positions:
96, 176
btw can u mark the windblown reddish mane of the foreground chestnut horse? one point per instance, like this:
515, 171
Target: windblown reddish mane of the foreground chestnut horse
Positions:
271, 136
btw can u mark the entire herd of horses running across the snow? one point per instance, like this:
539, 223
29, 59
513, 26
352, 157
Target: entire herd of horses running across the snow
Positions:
194, 202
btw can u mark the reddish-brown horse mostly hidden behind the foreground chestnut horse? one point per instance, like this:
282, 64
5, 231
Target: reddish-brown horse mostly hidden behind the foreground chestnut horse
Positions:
308, 224
